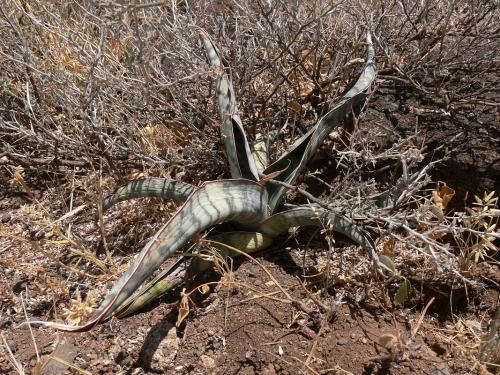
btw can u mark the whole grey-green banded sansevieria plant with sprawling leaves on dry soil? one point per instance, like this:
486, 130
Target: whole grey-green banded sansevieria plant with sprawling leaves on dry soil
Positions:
250, 201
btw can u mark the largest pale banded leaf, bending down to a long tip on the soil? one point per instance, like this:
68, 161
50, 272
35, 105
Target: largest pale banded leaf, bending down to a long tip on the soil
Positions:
241, 201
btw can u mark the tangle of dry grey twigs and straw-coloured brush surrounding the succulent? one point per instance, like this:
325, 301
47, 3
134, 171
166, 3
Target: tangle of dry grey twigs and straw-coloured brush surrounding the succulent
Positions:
94, 94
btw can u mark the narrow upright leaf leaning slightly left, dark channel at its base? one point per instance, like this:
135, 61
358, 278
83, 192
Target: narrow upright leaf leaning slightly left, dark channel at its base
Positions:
239, 156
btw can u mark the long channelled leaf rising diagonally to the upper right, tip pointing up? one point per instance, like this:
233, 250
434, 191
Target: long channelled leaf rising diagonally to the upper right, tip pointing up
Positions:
305, 147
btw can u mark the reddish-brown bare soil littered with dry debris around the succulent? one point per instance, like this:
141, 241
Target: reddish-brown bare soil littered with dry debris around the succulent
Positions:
235, 330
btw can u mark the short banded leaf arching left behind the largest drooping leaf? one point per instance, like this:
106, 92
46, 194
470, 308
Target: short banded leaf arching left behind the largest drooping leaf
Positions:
150, 187
